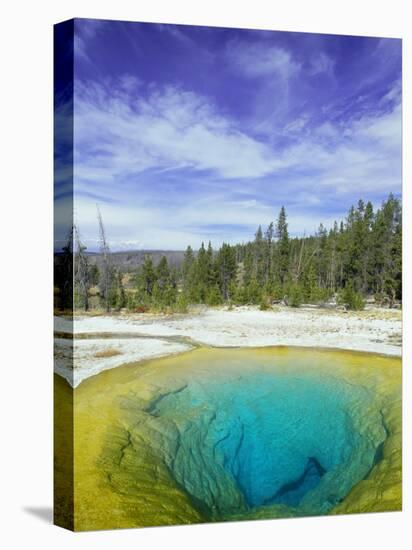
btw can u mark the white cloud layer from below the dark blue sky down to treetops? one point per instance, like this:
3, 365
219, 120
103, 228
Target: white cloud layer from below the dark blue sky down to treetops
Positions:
121, 136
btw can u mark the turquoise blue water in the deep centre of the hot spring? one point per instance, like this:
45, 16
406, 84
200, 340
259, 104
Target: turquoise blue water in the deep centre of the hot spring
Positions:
267, 439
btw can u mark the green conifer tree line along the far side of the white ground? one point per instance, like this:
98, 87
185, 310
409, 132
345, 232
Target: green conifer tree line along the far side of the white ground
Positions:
358, 257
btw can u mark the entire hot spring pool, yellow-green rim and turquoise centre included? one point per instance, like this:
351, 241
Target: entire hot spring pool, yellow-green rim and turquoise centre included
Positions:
230, 434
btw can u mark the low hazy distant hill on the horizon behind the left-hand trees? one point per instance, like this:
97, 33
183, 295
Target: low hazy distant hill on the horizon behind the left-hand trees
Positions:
131, 259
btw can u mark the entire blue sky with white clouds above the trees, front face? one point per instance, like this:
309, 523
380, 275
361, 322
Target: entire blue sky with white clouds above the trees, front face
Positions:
184, 134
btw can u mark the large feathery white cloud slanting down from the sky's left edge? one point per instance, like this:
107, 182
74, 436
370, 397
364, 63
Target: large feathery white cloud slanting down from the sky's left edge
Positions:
114, 135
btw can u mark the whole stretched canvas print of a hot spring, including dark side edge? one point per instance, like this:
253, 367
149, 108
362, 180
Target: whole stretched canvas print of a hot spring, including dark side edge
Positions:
228, 278
